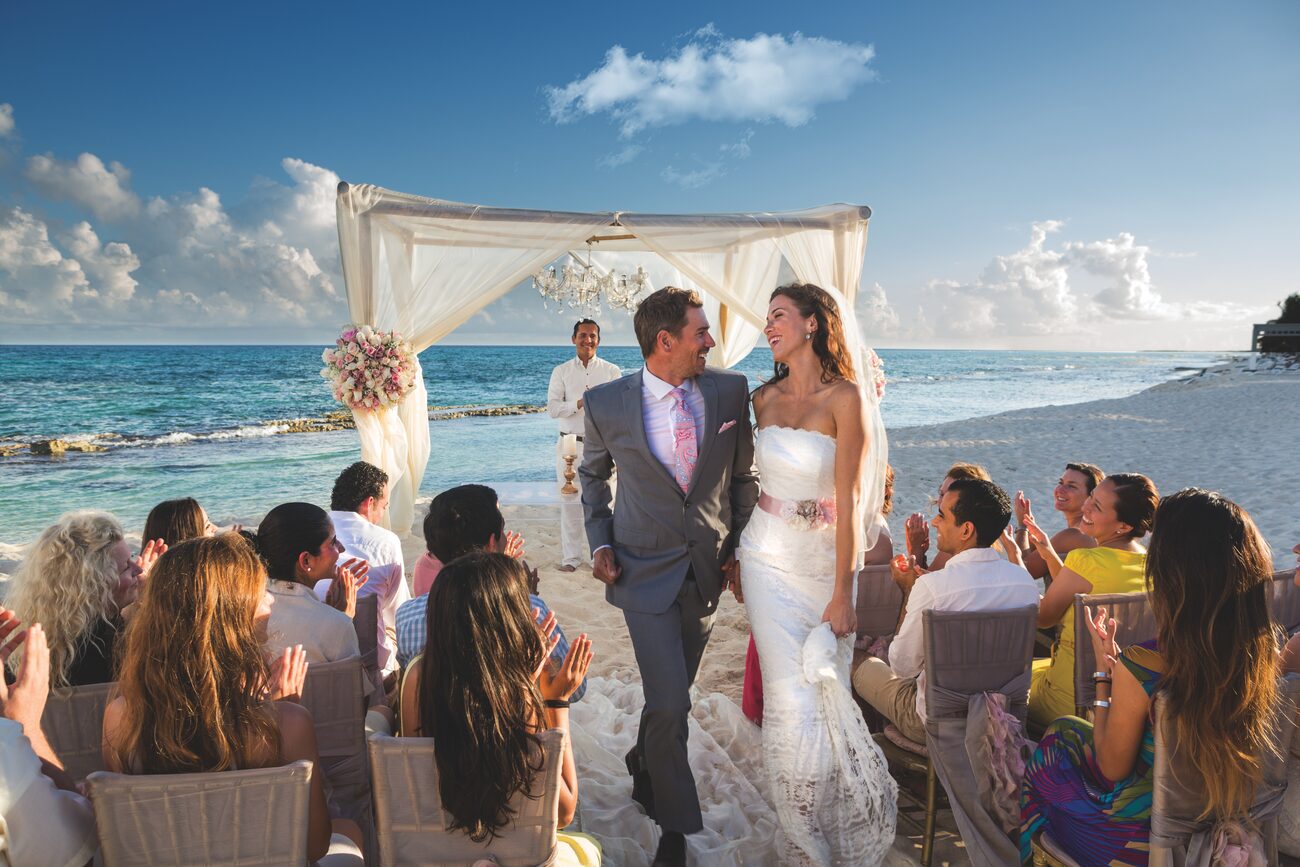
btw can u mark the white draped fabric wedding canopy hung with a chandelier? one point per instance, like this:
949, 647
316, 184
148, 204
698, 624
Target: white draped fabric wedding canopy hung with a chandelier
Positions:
423, 267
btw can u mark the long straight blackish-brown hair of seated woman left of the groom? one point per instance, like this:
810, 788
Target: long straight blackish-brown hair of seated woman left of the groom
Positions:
479, 700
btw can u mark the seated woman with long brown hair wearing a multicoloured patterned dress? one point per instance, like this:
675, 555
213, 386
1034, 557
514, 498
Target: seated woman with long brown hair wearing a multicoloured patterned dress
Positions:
1215, 658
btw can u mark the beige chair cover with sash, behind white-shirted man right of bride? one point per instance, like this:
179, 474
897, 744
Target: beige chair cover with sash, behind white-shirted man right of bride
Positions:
969, 656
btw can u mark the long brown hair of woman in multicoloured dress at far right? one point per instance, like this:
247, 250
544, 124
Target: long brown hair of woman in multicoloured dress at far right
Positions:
1208, 574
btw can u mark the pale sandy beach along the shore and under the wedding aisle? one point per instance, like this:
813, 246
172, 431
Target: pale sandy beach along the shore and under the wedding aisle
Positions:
1227, 430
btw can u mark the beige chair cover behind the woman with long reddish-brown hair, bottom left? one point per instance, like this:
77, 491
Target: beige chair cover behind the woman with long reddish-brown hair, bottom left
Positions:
239, 818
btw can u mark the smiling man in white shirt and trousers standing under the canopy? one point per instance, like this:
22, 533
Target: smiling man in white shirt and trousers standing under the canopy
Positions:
570, 383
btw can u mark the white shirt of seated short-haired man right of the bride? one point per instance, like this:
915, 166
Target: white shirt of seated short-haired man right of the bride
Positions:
974, 580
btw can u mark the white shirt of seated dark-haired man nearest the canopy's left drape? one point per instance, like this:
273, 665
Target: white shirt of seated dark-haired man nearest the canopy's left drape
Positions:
387, 579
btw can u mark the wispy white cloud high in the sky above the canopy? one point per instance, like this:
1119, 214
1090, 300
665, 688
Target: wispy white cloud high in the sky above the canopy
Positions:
764, 79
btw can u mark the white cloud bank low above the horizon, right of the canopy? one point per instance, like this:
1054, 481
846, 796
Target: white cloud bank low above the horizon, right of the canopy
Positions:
1041, 291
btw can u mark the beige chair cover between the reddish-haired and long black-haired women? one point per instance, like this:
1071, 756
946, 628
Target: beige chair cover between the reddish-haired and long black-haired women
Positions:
336, 696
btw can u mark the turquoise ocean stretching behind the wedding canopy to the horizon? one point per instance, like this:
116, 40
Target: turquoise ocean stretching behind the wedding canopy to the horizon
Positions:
197, 421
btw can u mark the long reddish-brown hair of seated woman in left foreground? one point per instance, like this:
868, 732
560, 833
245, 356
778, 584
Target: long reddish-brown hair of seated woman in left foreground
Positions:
192, 673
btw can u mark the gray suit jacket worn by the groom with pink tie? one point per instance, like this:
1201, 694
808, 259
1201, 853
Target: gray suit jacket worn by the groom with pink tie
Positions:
656, 530
